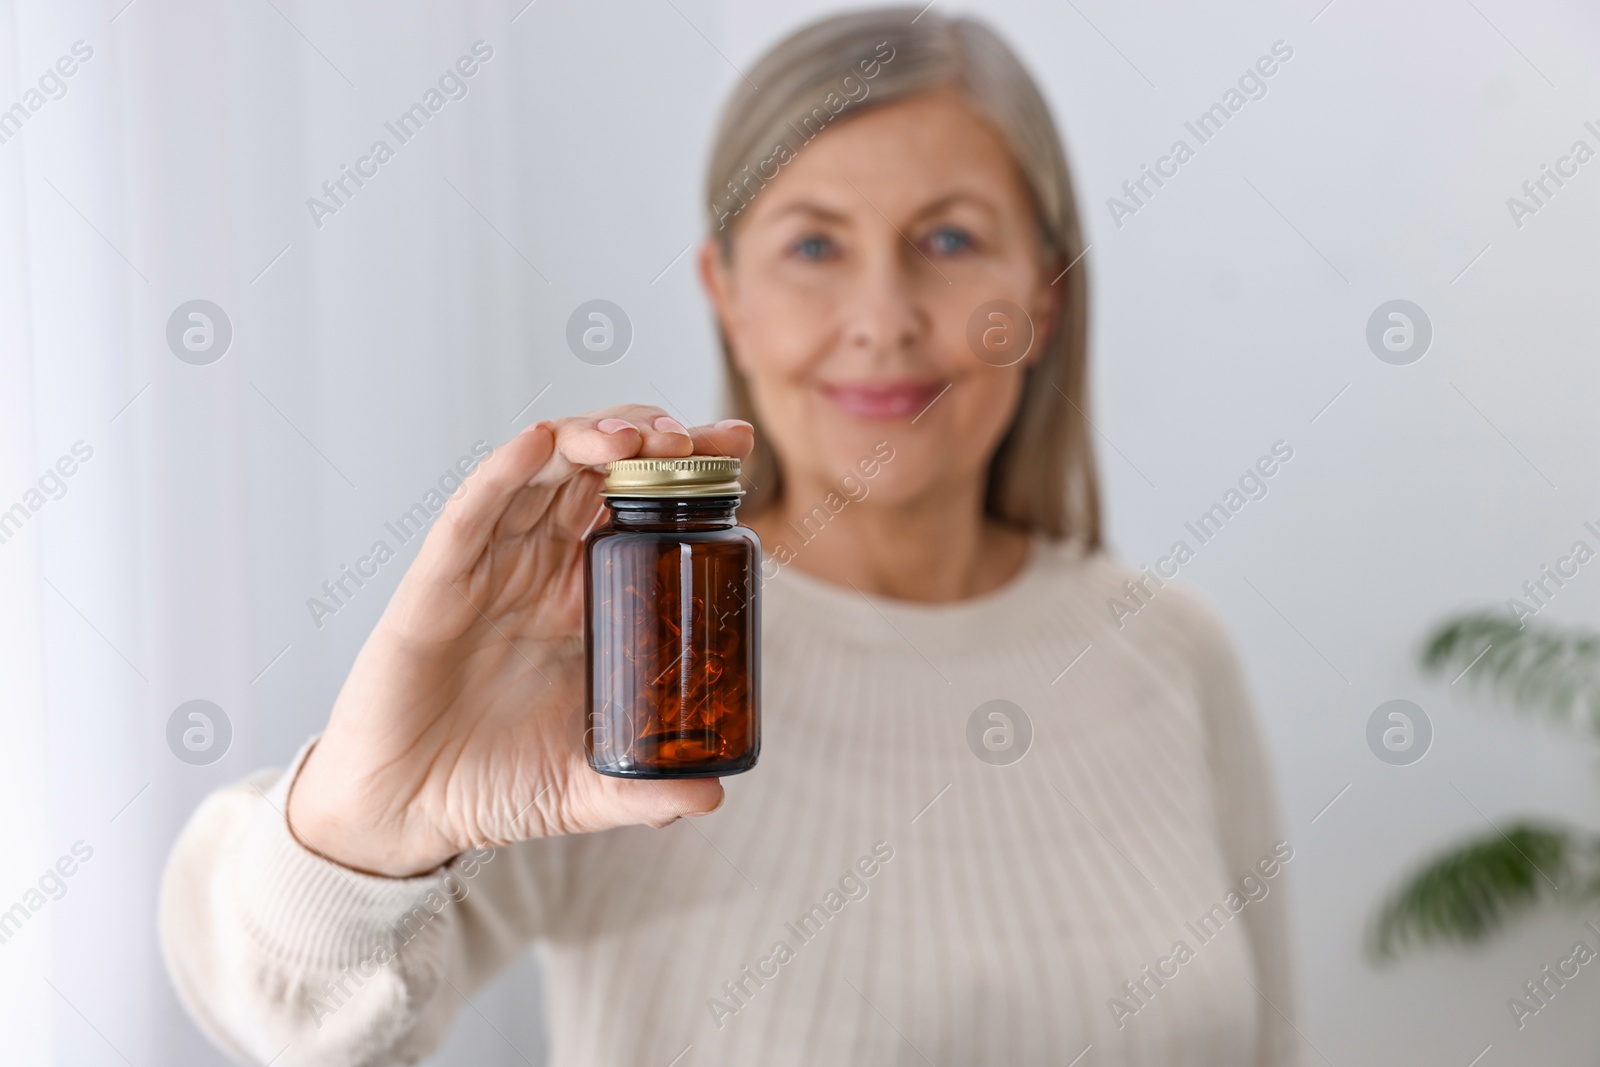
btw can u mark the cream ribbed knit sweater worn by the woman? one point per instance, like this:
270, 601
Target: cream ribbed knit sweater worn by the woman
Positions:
873, 893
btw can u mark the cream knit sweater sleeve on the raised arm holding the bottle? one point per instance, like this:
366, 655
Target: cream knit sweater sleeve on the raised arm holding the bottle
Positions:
274, 948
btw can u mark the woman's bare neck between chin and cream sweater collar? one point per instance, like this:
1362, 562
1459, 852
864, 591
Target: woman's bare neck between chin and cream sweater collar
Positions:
932, 549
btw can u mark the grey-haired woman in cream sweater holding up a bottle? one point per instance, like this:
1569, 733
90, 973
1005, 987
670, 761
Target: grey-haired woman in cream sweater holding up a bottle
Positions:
994, 821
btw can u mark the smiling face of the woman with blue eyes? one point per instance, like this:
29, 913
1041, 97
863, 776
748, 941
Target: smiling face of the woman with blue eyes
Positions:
849, 295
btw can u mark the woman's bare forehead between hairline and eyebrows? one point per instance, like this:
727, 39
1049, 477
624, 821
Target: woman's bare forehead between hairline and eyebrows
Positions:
900, 158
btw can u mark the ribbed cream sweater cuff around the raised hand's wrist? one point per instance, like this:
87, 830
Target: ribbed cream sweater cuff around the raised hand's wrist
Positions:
308, 911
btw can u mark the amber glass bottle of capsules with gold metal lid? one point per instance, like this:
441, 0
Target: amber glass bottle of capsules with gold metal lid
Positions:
673, 623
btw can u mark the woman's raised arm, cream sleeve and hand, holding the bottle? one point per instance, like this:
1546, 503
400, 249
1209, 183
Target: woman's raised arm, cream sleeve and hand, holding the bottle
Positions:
346, 906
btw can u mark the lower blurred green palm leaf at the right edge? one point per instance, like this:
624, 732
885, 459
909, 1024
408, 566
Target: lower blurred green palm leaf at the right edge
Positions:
1470, 892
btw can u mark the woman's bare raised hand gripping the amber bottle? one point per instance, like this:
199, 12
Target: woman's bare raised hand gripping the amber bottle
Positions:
462, 722
